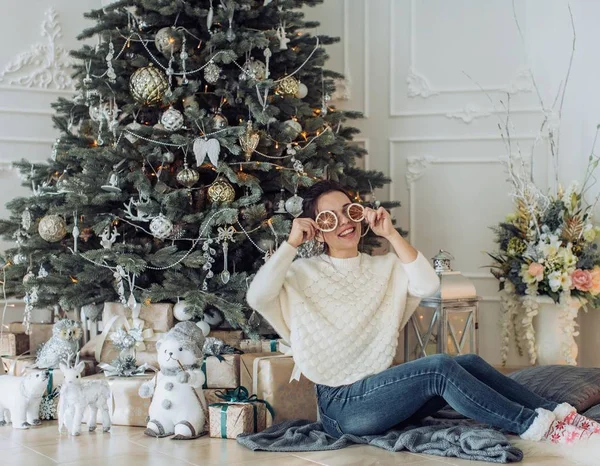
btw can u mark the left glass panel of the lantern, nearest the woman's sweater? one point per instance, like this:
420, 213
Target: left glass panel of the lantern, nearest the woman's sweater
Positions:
421, 333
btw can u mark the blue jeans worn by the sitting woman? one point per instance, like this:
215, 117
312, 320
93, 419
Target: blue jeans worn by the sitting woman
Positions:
417, 389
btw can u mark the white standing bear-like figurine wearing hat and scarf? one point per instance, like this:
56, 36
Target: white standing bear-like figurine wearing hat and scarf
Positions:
177, 408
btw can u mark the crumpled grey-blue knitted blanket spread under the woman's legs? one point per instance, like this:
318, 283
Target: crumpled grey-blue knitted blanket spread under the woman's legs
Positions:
460, 439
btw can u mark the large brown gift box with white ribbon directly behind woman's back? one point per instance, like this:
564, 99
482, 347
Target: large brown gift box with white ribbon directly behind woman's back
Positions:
268, 376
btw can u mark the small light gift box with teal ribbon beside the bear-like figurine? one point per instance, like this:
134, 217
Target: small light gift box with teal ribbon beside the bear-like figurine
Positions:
228, 420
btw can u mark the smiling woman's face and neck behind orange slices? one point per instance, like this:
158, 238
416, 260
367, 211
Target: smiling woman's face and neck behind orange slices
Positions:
343, 241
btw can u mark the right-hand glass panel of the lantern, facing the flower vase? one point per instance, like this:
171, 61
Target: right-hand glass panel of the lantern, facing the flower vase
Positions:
461, 331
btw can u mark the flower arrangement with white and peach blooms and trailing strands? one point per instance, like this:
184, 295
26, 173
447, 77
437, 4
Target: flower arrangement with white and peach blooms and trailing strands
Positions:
547, 247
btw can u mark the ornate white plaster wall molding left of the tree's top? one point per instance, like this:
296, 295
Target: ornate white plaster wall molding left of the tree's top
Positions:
45, 65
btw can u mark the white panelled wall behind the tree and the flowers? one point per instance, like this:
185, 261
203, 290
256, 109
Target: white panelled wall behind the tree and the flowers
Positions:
428, 125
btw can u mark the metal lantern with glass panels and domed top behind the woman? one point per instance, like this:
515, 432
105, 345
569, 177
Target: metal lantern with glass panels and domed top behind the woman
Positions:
446, 322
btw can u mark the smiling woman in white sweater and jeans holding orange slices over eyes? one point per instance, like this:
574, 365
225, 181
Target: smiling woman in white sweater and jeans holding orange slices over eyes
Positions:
342, 313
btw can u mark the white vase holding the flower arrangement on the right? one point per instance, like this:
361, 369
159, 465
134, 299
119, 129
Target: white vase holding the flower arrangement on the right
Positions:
554, 327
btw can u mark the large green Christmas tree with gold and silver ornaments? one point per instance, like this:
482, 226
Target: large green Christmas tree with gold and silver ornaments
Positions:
182, 158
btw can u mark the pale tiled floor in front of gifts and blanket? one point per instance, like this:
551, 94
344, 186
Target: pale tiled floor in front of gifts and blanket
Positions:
128, 446
